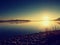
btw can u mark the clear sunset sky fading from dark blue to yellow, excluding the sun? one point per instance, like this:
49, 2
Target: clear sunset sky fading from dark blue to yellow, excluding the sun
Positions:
29, 9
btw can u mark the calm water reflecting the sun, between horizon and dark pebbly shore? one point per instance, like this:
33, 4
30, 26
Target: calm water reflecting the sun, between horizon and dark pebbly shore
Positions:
11, 29
